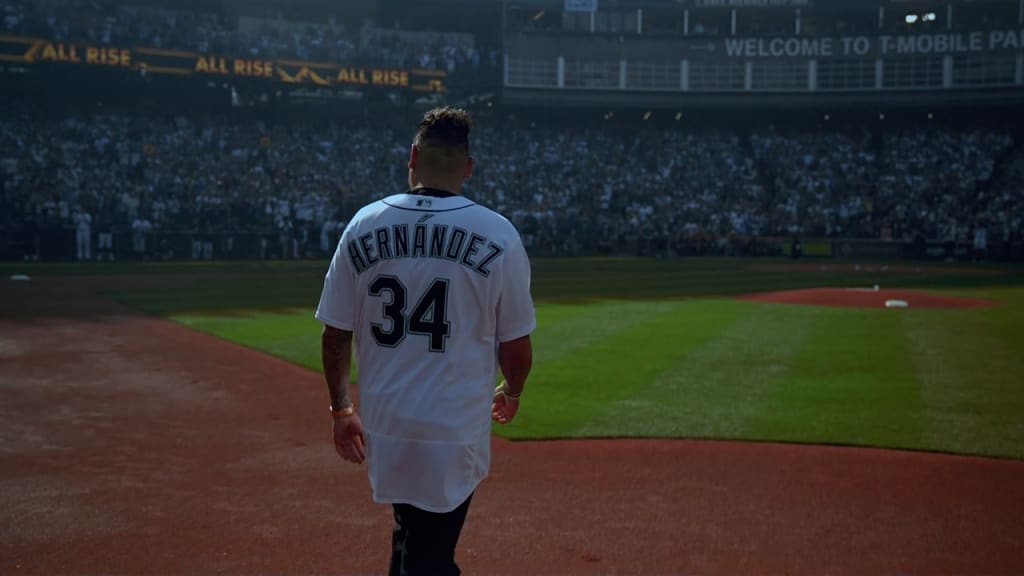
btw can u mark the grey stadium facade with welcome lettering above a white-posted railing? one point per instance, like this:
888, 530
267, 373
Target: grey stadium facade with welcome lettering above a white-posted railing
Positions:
947, 61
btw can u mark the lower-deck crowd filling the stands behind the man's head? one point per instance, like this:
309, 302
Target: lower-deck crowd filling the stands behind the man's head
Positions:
569, 190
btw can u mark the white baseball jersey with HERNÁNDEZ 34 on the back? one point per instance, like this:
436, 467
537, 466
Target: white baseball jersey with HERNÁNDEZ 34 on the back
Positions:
430, 287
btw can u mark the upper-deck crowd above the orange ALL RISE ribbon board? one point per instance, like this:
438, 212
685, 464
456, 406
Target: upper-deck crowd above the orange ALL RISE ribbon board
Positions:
107, 23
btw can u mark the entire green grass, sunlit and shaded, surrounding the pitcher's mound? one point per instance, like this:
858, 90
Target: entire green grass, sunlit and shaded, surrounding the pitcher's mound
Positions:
629, 348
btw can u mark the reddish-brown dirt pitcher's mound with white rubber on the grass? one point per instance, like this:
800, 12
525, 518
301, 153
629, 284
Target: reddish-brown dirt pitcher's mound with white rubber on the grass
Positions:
867, 299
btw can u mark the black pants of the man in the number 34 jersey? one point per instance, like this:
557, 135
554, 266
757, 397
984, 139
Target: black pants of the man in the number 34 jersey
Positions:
423, 544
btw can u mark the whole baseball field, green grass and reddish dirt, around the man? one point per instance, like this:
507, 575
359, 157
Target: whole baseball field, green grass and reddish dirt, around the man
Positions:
164, 419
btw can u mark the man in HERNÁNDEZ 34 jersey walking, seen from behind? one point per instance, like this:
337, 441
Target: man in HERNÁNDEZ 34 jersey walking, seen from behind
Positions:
435, 291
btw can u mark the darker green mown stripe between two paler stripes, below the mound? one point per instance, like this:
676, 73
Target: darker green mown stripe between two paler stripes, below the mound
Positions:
851, 383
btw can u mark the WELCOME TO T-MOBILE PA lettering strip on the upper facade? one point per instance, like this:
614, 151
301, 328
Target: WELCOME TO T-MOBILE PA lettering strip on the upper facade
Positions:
857, 47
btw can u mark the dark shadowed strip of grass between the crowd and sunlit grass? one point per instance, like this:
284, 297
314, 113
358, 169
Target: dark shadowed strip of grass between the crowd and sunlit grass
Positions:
166, 290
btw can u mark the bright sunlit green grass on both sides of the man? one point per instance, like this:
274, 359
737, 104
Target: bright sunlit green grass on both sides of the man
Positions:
938, 381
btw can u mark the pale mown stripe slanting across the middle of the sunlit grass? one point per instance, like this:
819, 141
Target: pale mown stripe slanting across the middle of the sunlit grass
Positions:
714, 391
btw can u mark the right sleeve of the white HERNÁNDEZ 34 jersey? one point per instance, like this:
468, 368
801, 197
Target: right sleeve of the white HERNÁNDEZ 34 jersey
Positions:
517, 317
